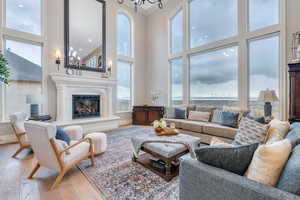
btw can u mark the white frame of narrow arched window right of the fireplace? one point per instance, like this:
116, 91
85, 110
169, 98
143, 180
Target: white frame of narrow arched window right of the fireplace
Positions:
126, 59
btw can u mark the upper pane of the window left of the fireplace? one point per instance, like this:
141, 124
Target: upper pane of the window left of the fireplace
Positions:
24, 16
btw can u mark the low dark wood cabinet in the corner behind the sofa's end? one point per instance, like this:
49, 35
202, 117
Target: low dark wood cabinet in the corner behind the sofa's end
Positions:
145, 115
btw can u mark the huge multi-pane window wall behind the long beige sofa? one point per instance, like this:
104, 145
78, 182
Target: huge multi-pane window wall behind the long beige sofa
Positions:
229, 56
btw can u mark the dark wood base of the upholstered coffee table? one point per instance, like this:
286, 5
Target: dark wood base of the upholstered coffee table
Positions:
172, 163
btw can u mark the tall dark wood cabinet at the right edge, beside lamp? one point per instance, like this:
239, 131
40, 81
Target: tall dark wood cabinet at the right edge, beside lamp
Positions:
294, 109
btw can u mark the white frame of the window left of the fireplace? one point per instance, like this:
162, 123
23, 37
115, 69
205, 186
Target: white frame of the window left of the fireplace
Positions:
7, 33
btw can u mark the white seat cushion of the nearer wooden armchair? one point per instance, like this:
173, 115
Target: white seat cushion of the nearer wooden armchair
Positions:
76, 152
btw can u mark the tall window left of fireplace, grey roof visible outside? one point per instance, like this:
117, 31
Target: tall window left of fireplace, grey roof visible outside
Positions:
23, 53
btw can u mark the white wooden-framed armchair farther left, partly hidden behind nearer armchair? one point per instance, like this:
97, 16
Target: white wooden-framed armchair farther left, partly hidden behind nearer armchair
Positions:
17, 122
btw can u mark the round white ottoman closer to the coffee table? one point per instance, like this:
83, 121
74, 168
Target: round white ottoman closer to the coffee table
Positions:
99, 142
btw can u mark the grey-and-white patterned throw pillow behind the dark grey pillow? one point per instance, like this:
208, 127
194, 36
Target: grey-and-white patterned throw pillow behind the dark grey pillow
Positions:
250, 131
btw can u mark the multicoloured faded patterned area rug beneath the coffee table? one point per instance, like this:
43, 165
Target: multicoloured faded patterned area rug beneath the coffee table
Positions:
116, 177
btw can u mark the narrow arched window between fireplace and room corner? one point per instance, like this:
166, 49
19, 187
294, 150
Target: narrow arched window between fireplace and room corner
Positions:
125, 63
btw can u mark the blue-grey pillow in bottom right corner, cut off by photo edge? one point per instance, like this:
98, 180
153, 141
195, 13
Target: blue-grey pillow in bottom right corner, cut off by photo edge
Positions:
289, 180
